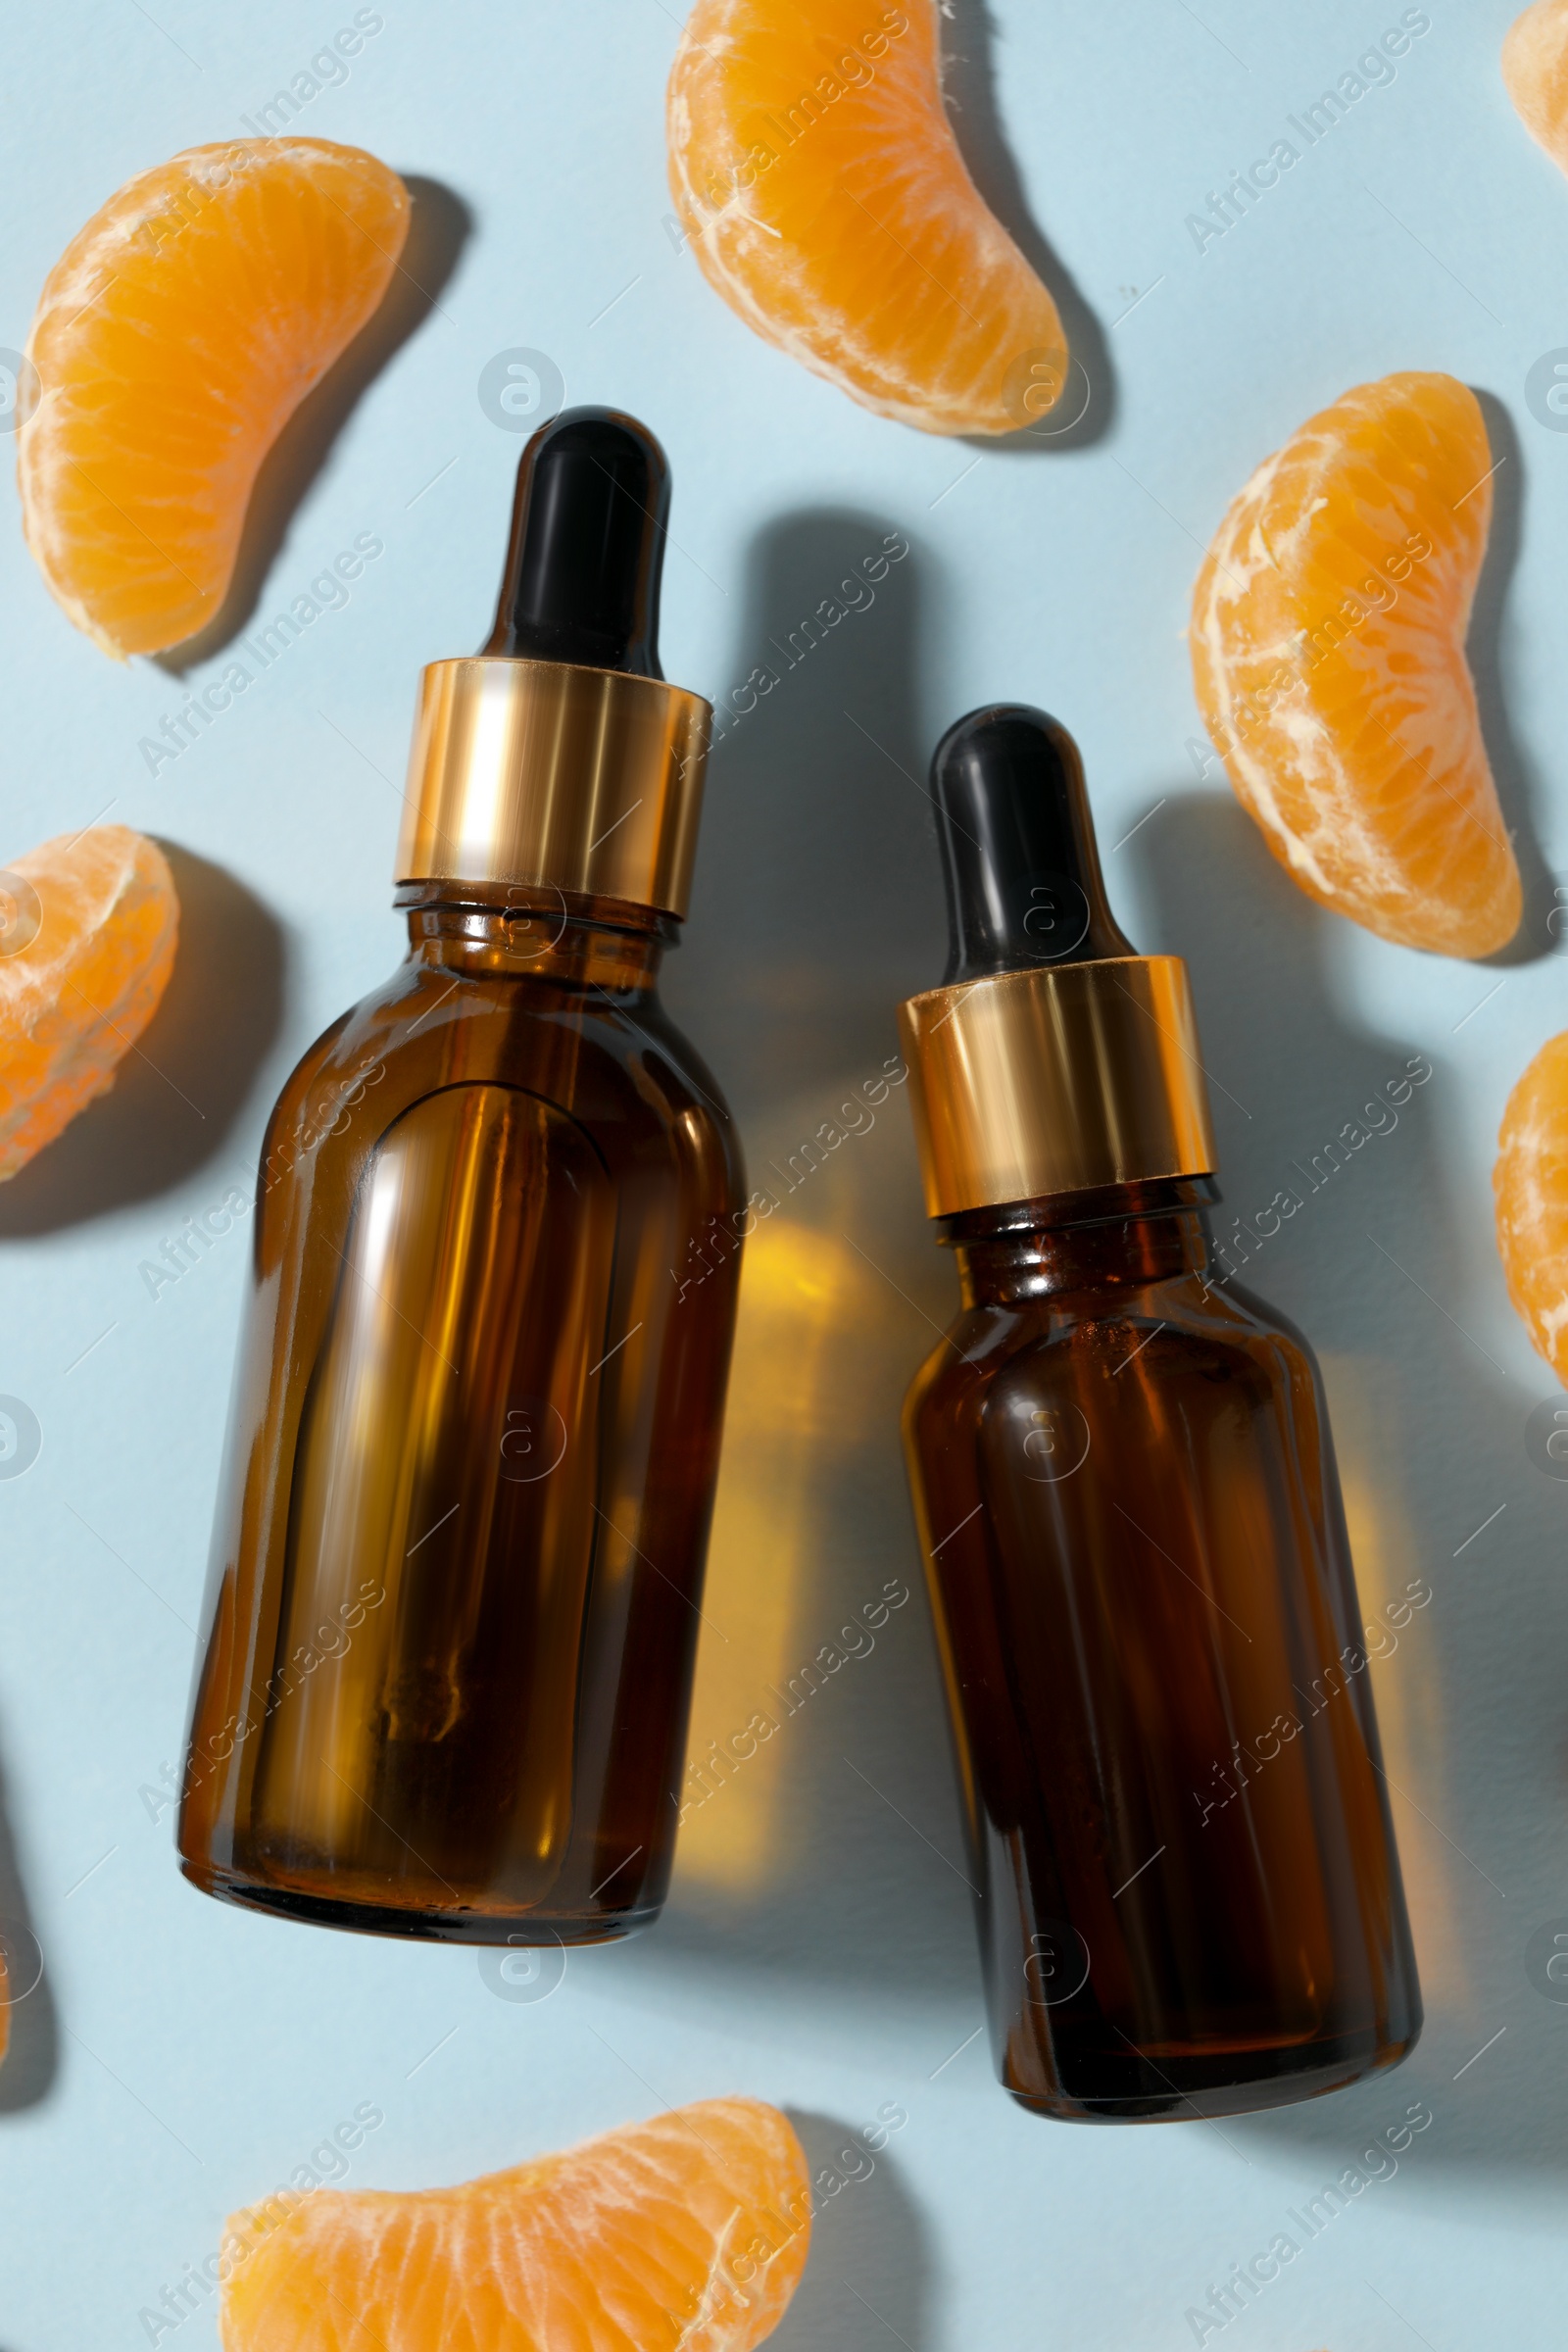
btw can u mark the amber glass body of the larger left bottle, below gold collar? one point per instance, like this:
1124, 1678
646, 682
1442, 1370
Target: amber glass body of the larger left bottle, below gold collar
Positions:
460, 1551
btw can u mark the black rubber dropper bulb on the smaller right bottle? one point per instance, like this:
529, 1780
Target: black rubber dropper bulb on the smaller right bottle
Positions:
1019, 848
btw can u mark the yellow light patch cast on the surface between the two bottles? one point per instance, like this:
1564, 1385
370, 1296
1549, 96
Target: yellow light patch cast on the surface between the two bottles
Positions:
812, 1511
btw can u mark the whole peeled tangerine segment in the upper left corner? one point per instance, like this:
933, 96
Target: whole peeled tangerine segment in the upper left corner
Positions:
173, 342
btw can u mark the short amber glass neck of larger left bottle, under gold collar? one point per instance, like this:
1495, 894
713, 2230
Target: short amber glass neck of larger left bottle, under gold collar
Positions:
511, 933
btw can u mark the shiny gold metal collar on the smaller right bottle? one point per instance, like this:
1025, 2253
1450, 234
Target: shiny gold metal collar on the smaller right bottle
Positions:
1057, 1081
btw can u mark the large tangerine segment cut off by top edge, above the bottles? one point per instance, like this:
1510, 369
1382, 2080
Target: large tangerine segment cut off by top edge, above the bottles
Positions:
826, 199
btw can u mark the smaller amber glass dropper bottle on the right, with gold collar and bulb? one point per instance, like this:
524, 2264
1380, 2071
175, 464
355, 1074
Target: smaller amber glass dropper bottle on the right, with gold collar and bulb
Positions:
1132, 1521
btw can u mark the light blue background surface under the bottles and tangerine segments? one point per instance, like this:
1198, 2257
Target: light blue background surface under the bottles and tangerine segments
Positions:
182, 2057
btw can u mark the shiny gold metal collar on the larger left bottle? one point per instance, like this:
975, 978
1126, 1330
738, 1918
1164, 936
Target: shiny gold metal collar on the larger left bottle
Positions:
556, 775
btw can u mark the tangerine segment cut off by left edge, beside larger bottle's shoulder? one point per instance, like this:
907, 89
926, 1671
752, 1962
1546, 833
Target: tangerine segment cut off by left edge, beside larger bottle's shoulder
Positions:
88, 928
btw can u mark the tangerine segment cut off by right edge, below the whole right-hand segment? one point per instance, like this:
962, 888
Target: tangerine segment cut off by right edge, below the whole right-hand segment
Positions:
1532, 1191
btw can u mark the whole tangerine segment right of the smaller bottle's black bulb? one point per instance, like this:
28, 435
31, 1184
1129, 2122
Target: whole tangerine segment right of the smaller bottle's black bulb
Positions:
1329, 664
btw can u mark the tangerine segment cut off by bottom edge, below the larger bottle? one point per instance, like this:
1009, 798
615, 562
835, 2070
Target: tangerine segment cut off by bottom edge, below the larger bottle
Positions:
683, 2233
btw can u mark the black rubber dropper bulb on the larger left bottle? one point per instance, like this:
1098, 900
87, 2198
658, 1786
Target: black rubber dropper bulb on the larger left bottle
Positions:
589, 544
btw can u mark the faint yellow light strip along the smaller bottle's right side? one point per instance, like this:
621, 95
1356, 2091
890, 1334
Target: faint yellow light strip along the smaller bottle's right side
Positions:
1362, 1408
